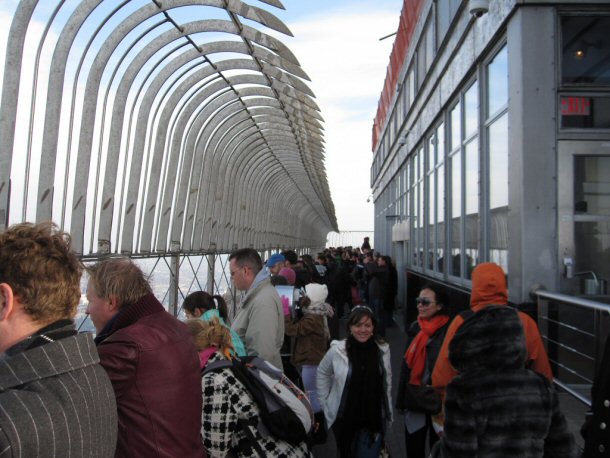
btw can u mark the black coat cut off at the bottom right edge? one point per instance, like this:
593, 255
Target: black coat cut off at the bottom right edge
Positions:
596, 430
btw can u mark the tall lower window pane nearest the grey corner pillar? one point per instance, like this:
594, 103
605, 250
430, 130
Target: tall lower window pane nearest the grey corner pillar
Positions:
498, 192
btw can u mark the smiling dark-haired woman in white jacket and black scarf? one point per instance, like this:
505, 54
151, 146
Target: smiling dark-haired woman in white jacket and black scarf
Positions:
354, 385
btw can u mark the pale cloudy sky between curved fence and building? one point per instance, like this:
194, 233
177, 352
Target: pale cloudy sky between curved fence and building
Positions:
337, 43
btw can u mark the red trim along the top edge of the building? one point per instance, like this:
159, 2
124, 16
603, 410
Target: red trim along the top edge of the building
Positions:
408, 21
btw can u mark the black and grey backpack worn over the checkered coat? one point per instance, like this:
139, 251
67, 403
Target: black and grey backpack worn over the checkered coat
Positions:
285, 410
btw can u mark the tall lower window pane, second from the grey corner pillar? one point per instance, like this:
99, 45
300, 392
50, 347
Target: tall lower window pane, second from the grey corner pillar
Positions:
472, 206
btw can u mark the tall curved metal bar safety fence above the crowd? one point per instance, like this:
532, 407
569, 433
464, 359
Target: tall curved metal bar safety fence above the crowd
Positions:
151, 127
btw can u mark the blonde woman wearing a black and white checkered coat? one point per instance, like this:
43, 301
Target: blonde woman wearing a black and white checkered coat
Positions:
229, 417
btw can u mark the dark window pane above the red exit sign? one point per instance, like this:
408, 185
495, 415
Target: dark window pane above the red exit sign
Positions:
584, 49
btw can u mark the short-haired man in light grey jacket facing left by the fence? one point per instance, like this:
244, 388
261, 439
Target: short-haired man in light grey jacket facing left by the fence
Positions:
260, 320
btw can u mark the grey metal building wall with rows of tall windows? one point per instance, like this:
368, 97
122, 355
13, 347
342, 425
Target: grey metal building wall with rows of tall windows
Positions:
465, 169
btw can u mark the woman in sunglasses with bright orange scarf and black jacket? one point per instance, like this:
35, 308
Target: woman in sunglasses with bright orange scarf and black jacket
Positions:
416, 399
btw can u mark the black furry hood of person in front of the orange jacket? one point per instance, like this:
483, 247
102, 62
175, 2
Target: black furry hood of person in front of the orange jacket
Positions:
492, 339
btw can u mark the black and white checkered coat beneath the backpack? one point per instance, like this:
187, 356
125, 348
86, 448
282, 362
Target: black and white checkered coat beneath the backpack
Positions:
225, 402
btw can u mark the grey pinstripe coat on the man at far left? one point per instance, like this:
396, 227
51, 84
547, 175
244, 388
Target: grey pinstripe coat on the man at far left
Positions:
56, 401
